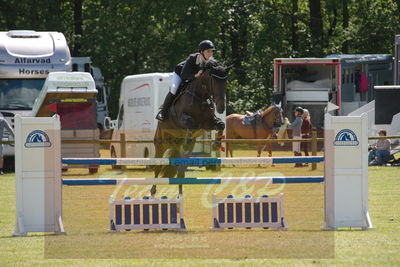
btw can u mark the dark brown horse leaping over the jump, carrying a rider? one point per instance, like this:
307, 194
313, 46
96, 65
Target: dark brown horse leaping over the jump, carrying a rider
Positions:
191, 113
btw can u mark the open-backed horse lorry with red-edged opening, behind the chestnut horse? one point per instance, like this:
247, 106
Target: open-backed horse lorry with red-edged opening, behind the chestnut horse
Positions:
344, 80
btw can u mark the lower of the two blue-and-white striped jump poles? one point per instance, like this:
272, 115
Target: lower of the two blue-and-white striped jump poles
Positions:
193, 181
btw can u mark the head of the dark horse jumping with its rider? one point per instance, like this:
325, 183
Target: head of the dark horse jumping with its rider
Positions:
216, 76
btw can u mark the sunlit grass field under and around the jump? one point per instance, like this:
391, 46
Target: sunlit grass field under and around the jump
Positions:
87, 243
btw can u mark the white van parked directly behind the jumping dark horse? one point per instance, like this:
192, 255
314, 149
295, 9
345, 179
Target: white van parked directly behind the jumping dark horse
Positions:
140, 98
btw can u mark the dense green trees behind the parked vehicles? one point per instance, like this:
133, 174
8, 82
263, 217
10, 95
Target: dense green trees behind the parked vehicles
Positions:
140, 36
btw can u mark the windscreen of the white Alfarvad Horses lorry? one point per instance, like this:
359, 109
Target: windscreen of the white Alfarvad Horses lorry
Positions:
19, 94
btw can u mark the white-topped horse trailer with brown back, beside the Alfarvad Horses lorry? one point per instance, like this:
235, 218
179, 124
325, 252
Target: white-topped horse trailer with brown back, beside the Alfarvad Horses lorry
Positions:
72, 95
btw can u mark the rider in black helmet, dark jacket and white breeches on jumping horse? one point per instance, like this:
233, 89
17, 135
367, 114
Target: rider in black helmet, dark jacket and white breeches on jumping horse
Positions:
187, 70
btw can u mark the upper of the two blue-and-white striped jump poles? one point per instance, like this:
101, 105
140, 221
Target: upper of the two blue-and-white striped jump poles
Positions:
190, 161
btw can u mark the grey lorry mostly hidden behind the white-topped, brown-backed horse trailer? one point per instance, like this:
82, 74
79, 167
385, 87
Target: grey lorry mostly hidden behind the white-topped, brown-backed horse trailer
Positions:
85, 64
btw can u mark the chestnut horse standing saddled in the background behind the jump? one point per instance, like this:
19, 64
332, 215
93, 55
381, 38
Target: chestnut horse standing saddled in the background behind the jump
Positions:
263, 128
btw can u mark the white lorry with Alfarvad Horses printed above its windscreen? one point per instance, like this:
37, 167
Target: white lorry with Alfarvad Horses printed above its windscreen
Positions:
26, 59
